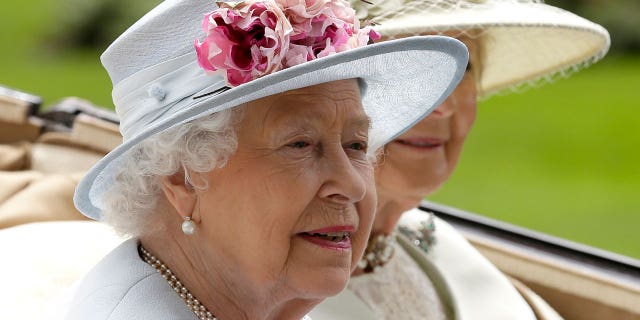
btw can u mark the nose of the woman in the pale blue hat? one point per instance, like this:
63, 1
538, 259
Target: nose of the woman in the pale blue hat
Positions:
344, 183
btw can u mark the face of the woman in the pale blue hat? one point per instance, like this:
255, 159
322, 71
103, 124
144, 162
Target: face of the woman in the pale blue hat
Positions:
293, 207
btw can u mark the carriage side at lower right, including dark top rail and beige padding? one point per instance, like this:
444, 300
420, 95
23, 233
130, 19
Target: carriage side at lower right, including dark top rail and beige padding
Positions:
577, 281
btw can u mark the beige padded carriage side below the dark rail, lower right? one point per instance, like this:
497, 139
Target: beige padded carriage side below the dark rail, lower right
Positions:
575, 290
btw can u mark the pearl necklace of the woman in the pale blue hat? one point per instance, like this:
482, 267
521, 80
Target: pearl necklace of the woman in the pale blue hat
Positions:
198, 309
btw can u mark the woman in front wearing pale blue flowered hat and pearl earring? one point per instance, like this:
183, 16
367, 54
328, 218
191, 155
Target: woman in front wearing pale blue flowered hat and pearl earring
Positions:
245, 177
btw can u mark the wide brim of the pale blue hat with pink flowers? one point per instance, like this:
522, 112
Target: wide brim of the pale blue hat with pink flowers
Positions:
403, 81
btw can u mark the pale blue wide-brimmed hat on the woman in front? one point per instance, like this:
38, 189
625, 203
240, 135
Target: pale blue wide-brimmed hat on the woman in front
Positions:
159, 81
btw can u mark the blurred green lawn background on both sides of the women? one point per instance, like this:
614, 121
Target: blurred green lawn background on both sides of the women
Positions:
560, 158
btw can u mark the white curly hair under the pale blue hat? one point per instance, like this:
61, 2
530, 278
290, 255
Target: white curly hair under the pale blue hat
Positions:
197, 146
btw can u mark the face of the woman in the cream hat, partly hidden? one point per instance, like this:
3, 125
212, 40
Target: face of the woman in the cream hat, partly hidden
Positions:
422, 159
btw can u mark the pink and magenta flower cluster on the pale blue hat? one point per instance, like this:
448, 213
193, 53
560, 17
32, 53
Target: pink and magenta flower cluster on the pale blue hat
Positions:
253, 38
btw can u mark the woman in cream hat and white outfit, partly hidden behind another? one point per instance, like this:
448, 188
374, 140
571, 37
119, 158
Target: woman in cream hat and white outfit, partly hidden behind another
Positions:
416, 266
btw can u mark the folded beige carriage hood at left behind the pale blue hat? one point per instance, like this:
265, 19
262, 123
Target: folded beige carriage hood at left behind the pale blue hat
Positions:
40, 167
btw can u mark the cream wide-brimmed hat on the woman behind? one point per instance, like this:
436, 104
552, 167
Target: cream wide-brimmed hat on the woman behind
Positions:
522, 42
